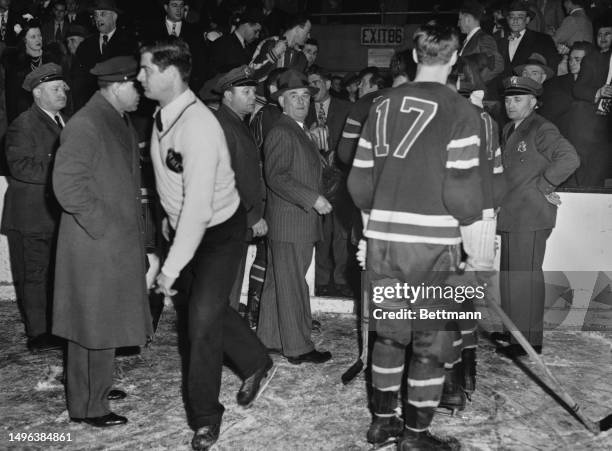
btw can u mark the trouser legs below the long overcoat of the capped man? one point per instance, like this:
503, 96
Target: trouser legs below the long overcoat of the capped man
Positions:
89, 377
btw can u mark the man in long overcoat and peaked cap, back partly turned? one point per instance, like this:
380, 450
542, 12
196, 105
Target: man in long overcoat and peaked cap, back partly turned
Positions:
100, 298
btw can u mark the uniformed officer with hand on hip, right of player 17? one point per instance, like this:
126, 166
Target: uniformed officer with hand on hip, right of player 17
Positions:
536, 159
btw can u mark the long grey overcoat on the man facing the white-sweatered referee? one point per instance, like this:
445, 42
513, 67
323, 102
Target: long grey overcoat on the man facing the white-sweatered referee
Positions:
100, 294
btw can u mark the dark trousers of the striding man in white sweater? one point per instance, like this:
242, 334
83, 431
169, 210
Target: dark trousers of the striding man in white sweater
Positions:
215, 328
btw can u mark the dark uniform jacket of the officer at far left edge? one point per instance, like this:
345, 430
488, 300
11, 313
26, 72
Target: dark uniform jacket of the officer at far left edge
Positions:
29, 204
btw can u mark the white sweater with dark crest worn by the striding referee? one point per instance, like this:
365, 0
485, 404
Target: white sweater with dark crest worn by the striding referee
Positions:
204, 193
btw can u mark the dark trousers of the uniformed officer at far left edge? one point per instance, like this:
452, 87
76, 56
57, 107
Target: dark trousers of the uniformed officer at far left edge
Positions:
31, 261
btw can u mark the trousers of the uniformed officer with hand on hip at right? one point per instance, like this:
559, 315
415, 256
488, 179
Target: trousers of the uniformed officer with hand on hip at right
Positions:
522, 281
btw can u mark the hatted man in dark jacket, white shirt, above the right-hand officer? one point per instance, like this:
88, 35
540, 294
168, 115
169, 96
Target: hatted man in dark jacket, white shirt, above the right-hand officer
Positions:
522, 42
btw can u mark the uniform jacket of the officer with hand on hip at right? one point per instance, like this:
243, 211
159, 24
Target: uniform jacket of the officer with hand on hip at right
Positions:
536, 159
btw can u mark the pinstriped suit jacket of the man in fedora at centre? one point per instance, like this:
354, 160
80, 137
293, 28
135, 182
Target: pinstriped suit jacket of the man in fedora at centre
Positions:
292, 167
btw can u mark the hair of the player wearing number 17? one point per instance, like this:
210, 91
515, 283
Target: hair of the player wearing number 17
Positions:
435, 44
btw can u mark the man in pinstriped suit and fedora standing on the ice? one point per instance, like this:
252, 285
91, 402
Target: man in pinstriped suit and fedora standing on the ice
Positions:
293, 171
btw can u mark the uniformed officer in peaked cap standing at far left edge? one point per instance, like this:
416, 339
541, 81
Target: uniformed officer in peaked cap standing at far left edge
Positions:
31, 213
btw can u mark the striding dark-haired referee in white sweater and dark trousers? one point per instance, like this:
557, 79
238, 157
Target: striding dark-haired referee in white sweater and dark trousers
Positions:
197, 189
